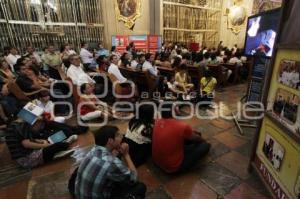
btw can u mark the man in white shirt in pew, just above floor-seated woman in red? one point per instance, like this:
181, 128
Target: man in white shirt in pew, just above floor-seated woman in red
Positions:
76, 73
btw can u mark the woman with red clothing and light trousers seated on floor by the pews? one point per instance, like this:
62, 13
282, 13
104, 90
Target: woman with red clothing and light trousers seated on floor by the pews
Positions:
93, 107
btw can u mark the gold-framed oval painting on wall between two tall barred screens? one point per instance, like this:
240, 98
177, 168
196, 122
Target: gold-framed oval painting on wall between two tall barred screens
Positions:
128, 11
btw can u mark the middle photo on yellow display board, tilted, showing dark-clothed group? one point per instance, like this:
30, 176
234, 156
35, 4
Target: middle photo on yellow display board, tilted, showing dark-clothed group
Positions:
285, 108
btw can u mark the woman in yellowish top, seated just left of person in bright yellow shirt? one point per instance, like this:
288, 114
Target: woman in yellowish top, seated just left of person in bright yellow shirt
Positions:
182, 78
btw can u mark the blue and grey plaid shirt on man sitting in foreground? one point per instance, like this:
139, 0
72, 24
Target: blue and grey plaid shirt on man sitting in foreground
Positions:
99, 173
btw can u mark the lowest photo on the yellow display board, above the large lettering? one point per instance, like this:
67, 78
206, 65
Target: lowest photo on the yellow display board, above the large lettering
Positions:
273, 151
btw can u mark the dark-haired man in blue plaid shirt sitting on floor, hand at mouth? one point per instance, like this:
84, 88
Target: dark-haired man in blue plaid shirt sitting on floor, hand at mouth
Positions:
103, 175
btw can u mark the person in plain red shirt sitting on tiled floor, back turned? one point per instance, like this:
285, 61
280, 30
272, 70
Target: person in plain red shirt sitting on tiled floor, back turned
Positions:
175, 146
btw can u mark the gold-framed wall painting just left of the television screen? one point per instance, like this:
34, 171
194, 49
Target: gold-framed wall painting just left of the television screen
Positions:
236, 16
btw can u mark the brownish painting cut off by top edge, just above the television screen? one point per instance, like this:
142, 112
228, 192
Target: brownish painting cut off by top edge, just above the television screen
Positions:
264, 5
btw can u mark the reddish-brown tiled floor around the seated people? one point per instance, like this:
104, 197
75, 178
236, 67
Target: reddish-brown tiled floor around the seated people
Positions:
222, 174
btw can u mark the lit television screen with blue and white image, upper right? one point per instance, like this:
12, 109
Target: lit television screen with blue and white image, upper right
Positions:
261, 33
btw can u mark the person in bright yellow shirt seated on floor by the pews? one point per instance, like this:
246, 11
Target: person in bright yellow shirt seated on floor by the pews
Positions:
207, 87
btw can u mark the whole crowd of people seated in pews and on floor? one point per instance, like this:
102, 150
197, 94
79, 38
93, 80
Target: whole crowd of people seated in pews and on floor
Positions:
111, 164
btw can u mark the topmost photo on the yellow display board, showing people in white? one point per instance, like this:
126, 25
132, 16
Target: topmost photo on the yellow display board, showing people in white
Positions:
289, 73
